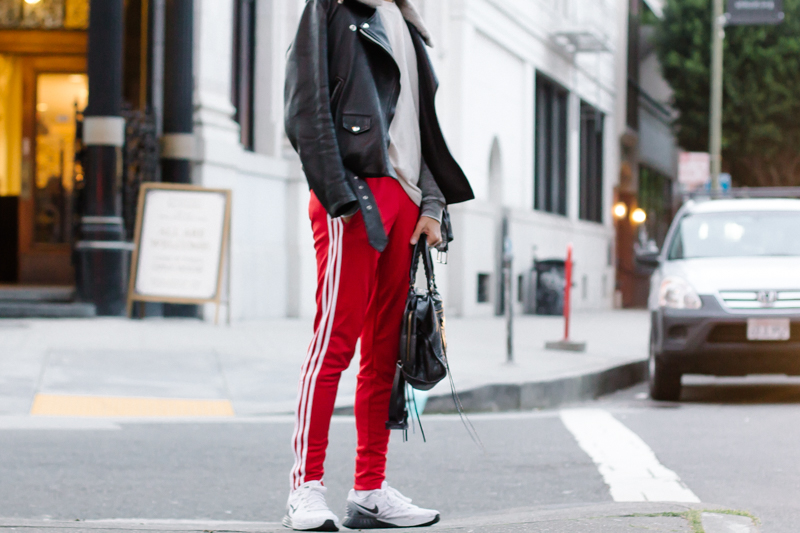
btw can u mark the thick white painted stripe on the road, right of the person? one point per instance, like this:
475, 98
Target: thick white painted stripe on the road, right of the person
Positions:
628, 466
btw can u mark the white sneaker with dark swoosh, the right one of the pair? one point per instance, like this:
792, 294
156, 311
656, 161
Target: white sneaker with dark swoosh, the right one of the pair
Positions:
384, 507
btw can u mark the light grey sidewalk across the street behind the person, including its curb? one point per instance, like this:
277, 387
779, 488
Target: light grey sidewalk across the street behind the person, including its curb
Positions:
253, 367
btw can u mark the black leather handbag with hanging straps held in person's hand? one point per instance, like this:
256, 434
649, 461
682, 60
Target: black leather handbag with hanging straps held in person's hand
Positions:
422, 360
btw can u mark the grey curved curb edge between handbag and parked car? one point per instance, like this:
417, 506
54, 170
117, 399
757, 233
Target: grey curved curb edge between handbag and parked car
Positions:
542, 394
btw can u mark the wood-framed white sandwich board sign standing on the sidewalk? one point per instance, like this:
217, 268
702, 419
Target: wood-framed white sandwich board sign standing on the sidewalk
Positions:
181, 245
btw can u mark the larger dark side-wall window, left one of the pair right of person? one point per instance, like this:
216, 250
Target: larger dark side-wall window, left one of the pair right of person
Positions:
551, 147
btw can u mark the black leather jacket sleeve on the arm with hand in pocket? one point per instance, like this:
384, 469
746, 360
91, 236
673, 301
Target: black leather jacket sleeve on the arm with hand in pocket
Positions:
307, 112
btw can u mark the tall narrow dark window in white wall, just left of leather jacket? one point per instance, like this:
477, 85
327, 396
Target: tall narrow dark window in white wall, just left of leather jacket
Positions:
244, 51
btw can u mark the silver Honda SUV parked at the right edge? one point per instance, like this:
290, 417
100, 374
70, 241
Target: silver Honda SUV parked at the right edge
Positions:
725, 292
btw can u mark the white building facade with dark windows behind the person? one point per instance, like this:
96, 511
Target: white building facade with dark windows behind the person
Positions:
529, 102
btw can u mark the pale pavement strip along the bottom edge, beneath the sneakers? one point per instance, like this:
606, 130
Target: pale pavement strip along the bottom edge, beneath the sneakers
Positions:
597, 518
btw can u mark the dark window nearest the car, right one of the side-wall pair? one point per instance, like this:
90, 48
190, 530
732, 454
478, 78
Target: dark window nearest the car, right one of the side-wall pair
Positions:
591, 167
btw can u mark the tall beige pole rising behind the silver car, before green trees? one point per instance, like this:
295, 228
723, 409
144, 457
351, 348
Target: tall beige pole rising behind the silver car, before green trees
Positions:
715, 128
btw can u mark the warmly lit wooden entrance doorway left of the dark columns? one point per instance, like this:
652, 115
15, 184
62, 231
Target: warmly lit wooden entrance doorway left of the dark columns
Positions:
40, 98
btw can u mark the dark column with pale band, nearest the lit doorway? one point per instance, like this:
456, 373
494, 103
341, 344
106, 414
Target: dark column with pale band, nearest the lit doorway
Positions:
102, 255
